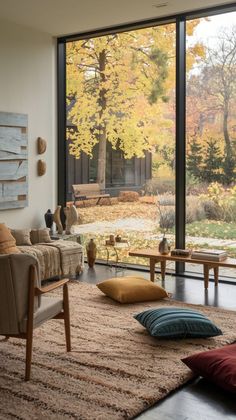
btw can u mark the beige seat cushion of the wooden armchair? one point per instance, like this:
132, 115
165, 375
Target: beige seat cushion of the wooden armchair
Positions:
49, 307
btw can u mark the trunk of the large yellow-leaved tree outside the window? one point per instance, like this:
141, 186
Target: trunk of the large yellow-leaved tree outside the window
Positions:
101, 173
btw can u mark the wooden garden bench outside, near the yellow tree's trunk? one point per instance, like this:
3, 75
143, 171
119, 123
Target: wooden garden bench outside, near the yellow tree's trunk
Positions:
83, 192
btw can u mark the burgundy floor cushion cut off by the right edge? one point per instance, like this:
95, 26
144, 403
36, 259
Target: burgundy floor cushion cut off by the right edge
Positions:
219, 366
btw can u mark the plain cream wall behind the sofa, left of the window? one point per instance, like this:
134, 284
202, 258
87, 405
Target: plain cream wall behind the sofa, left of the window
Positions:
27, 85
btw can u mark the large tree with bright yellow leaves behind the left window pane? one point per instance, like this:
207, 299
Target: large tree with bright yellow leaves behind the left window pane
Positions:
116, 85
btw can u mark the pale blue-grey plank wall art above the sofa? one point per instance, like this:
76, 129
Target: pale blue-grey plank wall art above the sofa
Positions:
13, 160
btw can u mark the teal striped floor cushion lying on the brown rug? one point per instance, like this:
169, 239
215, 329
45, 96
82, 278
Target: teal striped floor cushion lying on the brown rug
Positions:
177, 323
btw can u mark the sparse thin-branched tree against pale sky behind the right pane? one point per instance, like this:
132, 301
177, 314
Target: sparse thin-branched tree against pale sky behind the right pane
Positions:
218, 80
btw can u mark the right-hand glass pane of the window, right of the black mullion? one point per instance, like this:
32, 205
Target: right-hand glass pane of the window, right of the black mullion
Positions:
211, 135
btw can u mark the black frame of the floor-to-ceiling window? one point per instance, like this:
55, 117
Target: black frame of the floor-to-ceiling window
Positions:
180, 171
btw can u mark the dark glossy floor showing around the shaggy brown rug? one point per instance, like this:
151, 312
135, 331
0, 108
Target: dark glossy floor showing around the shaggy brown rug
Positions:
199, 400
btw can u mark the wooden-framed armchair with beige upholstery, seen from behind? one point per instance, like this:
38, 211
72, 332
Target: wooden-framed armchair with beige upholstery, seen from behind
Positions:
23, 304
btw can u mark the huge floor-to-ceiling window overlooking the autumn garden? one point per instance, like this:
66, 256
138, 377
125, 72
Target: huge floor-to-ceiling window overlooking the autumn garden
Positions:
149, 116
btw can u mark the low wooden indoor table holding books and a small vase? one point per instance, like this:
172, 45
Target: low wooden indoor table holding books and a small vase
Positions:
155, 257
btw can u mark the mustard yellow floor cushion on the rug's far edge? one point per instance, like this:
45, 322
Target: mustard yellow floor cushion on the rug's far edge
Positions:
131, 289
